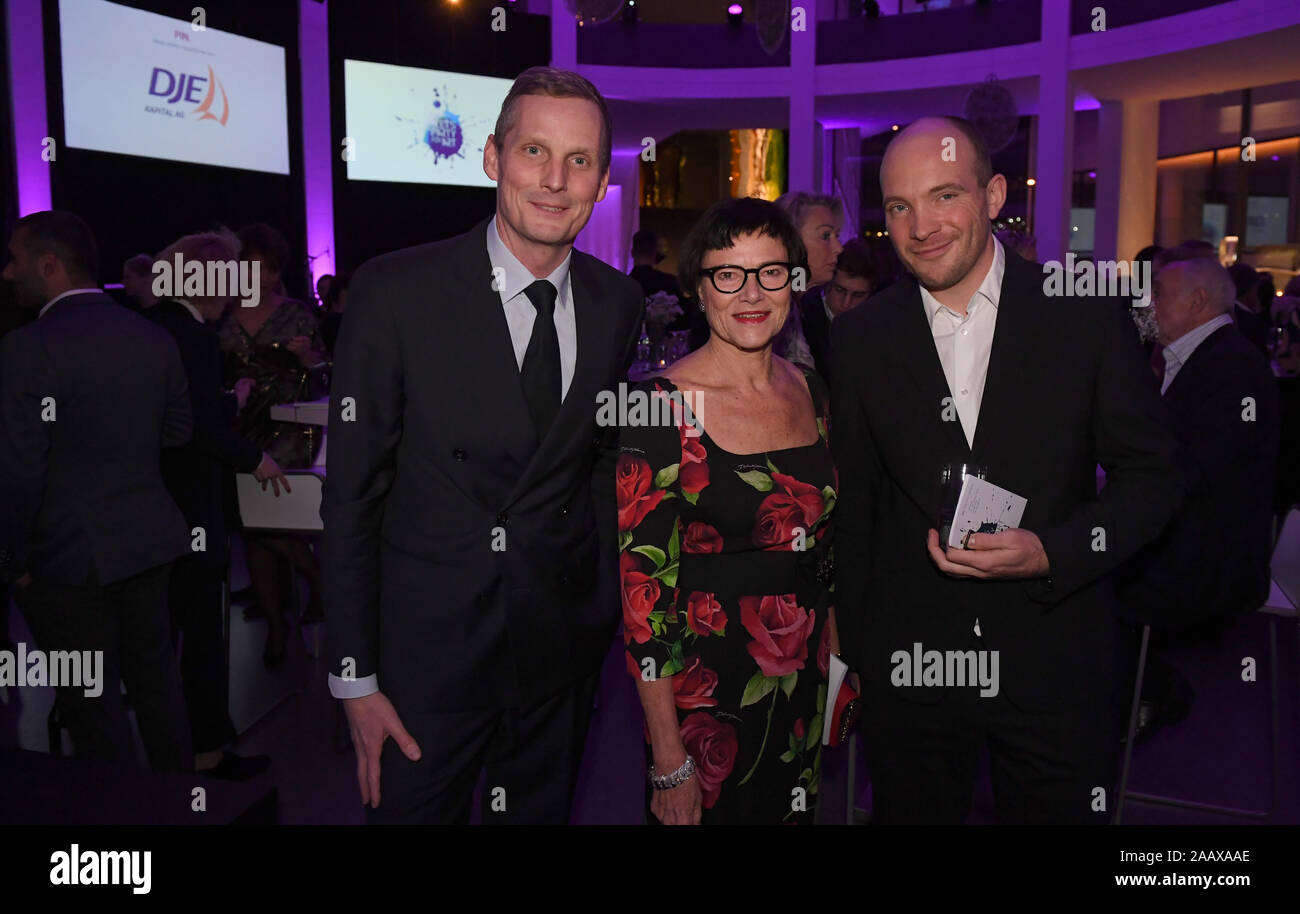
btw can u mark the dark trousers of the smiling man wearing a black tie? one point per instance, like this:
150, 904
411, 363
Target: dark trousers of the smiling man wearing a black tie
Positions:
531, 756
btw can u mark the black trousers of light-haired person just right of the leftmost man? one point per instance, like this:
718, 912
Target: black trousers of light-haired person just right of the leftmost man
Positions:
196, 603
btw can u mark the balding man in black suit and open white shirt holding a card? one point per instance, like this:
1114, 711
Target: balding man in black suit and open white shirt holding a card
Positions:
972, 362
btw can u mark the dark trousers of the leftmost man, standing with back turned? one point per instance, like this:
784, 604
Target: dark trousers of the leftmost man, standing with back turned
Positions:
127, 621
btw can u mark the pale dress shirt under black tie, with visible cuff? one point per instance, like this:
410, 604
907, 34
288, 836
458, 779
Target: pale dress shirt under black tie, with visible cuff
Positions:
521, 315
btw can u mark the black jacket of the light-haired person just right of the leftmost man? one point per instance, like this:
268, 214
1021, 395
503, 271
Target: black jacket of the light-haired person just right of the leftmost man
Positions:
201, 474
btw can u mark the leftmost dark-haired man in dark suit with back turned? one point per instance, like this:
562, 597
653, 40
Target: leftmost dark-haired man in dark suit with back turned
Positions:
90, 395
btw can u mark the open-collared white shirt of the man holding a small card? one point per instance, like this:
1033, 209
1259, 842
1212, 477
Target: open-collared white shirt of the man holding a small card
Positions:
964, 344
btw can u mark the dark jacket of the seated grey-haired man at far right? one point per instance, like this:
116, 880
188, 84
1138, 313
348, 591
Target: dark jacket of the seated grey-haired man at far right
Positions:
1214, 558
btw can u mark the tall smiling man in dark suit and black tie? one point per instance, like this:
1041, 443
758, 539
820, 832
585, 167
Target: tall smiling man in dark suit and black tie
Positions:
470, 508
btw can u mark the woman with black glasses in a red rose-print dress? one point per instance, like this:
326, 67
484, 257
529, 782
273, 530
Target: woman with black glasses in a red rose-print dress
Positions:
725, 518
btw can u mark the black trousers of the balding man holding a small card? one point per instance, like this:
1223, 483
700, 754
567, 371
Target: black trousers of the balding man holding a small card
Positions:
1047, 766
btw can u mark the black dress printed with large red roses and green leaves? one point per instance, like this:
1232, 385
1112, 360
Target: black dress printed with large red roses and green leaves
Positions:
725, 566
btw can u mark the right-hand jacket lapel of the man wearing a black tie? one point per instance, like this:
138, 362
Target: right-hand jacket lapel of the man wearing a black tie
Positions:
593, 326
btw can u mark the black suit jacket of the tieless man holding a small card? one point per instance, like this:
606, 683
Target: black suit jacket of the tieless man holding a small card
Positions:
1067, 389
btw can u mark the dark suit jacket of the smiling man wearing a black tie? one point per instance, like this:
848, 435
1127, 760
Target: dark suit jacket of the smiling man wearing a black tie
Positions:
439, 464
